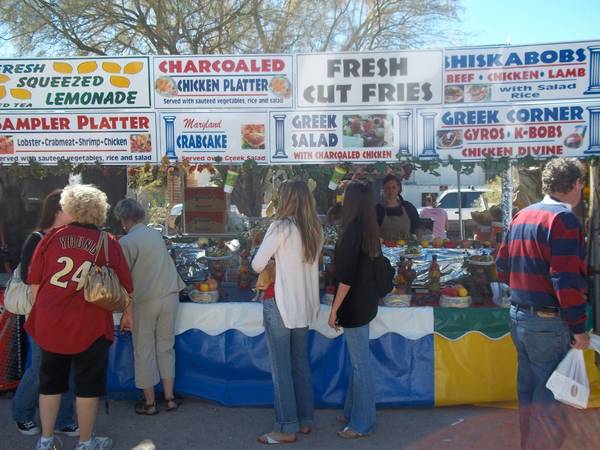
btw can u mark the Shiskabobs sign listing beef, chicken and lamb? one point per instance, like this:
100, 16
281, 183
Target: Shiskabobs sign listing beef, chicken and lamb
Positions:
513, 74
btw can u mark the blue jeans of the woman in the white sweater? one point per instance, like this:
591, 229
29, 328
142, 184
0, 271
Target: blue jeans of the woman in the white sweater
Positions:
292, 383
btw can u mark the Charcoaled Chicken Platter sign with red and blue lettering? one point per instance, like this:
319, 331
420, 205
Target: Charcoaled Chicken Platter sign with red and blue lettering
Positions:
210, 82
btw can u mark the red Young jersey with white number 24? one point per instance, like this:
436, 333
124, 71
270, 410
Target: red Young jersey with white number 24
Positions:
61, 321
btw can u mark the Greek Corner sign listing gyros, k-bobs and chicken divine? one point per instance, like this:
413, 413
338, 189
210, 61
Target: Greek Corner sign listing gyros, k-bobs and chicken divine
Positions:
543, 130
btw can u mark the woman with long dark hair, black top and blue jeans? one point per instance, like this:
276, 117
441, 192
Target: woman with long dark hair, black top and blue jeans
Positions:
355, 304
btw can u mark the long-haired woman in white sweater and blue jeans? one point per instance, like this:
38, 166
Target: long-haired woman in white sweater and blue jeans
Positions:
295, 239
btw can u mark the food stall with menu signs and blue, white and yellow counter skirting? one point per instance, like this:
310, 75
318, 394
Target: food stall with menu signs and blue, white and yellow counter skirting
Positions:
442, 336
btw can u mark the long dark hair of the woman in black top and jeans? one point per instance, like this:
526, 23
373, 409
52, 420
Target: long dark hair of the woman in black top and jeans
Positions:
359, 206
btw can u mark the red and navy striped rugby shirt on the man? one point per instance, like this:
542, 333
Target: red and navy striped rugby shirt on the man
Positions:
542, 259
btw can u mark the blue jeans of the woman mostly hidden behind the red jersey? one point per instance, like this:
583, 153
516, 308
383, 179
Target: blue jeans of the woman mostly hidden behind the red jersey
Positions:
25, 400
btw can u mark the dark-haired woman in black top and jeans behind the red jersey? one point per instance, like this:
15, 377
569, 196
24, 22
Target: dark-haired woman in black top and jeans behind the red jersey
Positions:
26, 397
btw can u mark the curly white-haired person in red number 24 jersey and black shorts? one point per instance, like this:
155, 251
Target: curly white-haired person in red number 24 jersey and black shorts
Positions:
69, 329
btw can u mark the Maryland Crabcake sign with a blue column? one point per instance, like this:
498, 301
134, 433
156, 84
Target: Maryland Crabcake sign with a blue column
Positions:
202, 136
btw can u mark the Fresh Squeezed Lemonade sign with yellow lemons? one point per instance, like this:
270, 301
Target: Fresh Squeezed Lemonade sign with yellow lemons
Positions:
74, 83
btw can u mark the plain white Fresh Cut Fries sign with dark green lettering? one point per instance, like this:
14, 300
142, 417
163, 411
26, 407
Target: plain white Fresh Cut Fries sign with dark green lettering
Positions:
369, 79
